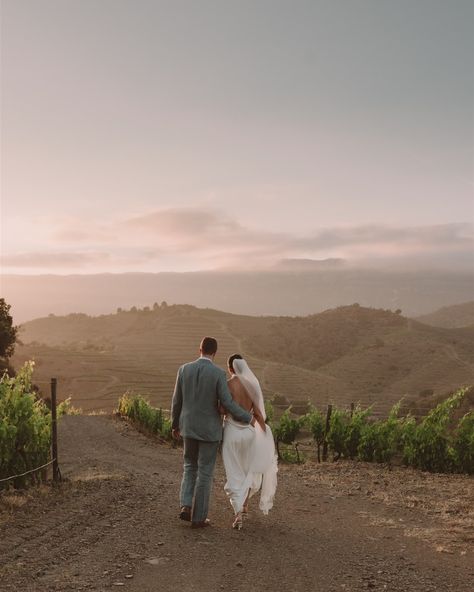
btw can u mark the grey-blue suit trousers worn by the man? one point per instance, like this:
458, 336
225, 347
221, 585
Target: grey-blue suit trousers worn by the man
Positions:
199, 462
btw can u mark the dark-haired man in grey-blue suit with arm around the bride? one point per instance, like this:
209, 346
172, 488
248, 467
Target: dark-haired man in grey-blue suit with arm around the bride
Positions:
200, 388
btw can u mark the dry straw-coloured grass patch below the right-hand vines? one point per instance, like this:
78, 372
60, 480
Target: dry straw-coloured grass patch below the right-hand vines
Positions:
443, 503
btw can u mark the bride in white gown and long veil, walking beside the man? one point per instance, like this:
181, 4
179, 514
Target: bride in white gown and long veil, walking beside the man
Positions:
248, 452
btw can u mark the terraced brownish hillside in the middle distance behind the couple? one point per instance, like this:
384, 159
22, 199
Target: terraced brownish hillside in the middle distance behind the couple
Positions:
344, 355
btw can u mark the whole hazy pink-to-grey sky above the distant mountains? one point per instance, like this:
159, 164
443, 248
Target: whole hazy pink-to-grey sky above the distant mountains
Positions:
151, 135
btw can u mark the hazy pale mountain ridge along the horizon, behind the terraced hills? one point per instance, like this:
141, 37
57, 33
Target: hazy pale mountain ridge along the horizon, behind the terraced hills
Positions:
290, 291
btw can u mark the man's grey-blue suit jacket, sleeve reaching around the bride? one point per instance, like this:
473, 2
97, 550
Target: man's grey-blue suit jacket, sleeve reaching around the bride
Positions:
200, 387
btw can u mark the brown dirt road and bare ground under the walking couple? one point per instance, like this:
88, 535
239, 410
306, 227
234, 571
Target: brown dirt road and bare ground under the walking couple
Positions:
344, 526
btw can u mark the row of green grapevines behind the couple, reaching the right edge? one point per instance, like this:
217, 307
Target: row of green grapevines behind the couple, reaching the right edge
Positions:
436, 443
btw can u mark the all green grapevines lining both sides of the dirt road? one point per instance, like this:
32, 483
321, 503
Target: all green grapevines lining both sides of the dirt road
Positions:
437, 442
